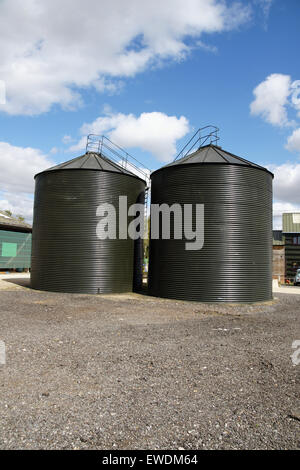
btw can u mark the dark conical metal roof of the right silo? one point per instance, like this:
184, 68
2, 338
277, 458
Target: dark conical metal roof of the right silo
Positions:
215, 155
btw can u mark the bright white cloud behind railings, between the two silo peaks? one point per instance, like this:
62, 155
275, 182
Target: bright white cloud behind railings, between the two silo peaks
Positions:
154, 132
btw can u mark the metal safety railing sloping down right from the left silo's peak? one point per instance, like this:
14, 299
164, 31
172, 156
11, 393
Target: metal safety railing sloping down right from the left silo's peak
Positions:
102, 145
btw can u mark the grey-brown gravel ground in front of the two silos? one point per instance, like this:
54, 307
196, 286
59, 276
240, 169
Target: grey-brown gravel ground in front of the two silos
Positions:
134, 372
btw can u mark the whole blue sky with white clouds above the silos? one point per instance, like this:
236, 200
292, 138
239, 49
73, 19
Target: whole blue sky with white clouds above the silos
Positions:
147, 75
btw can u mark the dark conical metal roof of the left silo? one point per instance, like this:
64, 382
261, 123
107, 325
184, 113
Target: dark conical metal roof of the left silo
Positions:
91, 161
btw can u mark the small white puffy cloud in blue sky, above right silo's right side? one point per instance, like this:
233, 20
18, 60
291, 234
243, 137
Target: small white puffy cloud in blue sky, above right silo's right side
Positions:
271, 99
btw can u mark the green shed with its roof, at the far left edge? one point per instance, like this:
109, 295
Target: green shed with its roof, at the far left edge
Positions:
15, 243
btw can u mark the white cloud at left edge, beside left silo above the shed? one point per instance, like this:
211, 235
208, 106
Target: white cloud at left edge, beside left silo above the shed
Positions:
18, 166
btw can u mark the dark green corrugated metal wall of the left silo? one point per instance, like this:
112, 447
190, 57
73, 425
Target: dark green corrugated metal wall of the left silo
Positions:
67, 256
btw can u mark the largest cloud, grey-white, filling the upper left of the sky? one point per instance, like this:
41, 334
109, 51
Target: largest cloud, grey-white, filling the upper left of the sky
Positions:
55, 49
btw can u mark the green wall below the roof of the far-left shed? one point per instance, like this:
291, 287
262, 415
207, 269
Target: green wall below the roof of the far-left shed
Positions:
15, 249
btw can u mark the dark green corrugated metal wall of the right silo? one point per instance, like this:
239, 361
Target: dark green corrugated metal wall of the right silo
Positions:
235, 263
